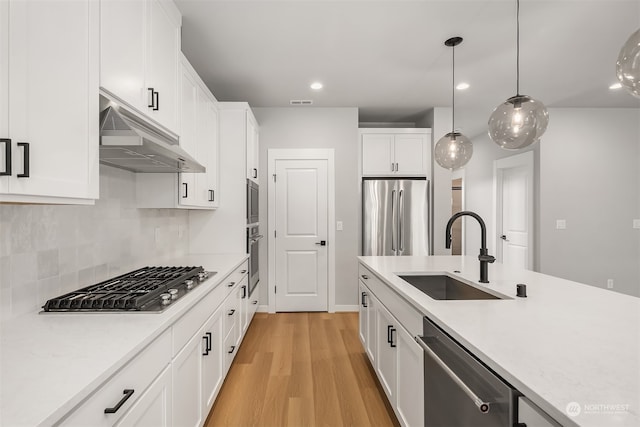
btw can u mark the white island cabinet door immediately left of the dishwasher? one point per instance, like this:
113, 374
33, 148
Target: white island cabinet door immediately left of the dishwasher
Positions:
410, 380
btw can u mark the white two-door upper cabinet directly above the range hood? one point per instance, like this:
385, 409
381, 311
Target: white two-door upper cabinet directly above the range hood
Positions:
140, 47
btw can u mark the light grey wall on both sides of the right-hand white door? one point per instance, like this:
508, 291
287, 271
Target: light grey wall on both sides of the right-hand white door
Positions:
587, 168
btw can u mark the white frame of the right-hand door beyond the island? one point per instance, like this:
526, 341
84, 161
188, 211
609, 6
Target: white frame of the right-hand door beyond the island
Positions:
525, 160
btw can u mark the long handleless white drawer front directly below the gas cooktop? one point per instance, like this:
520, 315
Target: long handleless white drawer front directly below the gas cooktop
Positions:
191, 322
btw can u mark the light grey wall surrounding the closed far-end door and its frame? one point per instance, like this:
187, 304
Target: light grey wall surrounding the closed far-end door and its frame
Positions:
304, 127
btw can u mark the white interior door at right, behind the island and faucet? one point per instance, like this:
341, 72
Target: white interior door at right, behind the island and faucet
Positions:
515, 211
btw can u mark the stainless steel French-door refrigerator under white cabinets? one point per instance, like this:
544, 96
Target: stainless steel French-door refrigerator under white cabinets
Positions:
396, 217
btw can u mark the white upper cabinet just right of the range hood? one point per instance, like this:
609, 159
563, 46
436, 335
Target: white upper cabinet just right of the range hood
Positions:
199, 123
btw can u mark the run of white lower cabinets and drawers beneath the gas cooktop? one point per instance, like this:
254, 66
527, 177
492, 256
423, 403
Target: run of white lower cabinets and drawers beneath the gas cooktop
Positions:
175, 380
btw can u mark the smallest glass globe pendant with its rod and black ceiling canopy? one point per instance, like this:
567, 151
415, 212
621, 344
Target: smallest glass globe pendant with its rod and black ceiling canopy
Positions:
454, 149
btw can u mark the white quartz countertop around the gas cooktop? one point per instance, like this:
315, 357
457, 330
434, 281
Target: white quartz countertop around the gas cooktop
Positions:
50, 362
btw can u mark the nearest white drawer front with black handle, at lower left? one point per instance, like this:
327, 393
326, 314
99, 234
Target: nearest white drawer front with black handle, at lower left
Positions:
137, 375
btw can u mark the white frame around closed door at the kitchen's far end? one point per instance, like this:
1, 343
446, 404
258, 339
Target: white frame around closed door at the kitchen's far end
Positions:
301, 154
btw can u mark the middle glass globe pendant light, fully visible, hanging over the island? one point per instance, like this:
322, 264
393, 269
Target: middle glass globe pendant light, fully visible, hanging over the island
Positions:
520, 120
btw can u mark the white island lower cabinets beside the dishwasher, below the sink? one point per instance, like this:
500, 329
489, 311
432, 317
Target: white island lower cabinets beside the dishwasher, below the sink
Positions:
396, 358
